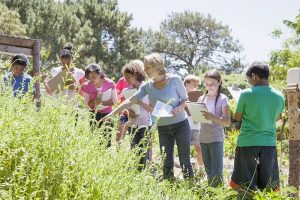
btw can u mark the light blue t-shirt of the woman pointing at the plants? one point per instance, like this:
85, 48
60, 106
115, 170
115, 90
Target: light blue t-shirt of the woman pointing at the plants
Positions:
173, 93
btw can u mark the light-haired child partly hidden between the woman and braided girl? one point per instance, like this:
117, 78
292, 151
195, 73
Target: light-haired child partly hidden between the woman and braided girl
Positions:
191, 83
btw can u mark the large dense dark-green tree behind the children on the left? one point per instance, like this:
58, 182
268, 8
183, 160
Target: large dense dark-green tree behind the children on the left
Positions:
97, 26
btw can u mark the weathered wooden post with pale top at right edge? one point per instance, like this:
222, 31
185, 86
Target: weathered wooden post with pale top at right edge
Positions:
293, 94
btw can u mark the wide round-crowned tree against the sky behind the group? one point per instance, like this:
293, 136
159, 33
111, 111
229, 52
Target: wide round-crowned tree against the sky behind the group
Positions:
192, 41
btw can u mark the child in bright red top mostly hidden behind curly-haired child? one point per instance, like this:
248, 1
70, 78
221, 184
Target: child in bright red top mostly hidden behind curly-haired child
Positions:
123, 117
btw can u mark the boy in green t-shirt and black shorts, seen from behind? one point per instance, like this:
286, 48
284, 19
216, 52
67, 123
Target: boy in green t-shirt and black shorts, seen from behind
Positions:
255, 162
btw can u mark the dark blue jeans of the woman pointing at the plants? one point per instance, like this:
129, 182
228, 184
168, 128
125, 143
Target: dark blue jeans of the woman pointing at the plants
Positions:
181, 133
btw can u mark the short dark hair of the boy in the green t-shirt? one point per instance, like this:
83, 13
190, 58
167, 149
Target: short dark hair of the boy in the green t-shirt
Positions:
261, 69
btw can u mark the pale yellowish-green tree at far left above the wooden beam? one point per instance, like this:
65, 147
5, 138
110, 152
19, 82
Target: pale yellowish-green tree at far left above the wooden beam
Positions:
10, 22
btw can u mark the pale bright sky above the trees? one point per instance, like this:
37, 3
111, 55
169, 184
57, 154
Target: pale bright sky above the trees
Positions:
251, 21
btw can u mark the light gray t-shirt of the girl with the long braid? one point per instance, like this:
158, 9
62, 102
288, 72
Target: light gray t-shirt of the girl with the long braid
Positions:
213, 132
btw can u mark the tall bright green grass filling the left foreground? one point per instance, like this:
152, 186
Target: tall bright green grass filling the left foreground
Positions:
43, 155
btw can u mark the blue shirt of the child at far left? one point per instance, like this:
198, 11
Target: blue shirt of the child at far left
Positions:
20, 84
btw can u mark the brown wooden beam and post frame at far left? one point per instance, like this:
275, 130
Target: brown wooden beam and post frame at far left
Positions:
29, 47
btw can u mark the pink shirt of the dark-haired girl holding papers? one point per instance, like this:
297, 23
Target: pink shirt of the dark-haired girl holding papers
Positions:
90, 89
